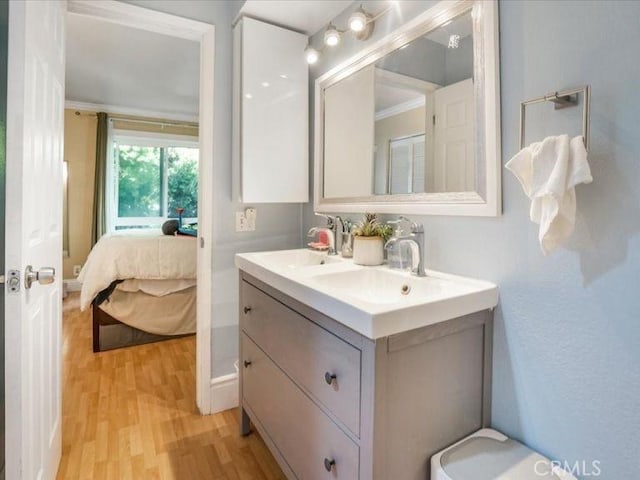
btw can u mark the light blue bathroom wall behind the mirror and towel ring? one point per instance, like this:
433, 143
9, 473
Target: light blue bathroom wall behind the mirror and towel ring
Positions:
567, 336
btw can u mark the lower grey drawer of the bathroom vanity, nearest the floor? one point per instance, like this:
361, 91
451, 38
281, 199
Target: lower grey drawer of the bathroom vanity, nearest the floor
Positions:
302, 433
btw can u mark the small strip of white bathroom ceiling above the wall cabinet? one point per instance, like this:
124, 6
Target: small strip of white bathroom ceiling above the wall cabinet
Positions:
306, 16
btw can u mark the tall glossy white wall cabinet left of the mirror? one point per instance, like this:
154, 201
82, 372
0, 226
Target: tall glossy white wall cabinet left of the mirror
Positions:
271, 114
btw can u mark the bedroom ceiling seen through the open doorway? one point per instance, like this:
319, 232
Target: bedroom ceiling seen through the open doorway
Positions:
114, 65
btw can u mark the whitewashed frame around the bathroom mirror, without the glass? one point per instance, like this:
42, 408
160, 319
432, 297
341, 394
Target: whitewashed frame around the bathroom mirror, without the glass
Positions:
487, 200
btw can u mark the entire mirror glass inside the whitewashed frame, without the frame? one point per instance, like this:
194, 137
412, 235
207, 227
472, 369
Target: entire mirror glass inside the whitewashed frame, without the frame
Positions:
405, 124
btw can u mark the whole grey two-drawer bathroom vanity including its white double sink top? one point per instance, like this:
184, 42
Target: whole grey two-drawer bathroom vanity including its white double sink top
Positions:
356, 372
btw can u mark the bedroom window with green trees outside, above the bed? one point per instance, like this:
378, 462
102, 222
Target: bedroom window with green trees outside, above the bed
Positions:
151, 177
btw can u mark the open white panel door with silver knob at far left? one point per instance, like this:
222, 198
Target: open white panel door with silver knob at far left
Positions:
35, 109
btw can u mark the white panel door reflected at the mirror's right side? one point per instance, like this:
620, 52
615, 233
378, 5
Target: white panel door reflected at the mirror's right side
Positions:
454, 159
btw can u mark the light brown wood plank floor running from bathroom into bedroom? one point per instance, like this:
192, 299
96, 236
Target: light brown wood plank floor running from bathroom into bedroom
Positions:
130, 414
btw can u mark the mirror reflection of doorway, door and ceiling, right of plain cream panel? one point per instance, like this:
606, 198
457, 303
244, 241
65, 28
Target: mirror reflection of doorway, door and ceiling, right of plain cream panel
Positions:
424, 134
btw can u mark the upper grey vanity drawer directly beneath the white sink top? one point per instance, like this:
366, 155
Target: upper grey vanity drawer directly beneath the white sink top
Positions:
308, 353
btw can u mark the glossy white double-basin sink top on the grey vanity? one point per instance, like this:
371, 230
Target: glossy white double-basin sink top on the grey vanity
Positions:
374, 301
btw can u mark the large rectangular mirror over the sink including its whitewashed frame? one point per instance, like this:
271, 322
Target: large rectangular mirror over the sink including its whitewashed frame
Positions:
412, 124
